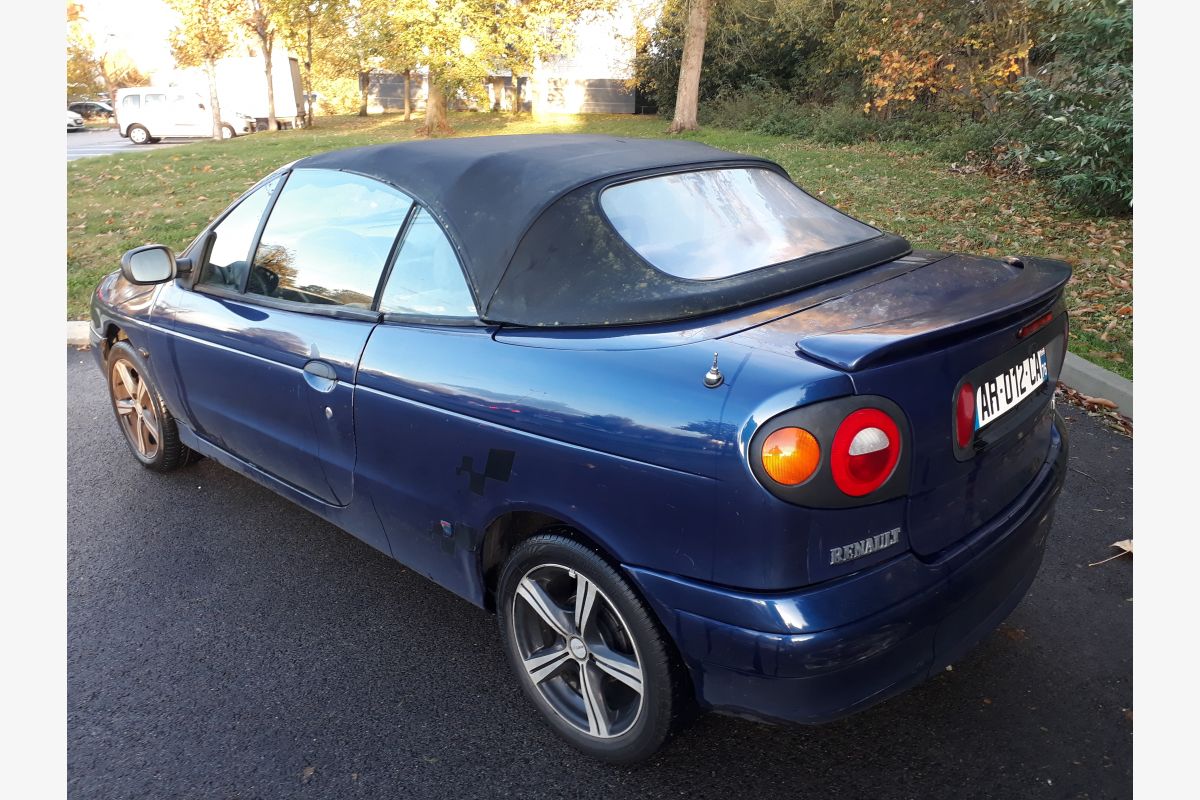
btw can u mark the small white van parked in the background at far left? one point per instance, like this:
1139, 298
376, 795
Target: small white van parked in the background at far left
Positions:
147, 115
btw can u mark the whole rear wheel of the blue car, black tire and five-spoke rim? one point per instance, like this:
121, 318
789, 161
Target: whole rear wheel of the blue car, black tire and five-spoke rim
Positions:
586, 651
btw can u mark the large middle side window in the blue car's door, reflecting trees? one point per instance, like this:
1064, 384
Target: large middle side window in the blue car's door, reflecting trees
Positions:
328, 239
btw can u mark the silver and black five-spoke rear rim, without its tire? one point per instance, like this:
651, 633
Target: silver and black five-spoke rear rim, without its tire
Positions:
578, 651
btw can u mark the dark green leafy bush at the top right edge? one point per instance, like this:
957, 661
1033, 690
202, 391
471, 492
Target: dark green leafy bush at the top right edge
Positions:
1079, 107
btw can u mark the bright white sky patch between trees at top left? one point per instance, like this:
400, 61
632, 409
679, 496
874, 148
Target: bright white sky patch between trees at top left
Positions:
139, 27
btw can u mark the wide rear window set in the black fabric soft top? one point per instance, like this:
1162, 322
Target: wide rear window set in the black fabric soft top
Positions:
717, 224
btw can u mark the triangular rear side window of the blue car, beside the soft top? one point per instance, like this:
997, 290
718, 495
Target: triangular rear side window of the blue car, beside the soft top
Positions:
427, 279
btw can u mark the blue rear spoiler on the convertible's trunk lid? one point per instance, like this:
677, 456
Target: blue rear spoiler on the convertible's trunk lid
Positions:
1037, 288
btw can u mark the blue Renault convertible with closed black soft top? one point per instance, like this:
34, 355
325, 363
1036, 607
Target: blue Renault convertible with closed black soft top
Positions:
700, 441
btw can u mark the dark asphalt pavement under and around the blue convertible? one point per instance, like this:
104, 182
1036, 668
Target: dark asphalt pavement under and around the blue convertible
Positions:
224, 643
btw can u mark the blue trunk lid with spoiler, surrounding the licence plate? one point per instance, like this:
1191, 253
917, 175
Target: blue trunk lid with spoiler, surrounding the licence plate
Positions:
915, 339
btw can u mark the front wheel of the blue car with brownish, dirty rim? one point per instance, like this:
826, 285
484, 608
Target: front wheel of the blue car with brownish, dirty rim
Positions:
167, 453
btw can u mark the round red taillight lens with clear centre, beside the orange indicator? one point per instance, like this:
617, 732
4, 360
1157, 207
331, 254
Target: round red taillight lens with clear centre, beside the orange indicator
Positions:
866, 452
